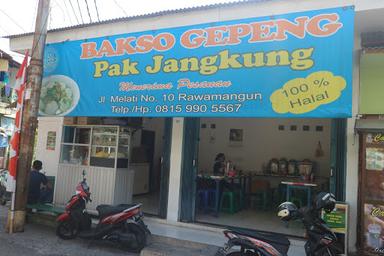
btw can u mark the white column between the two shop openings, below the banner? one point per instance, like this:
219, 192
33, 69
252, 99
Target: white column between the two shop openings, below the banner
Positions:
175, 169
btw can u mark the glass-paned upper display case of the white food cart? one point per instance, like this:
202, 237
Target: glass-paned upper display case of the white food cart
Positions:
101, 146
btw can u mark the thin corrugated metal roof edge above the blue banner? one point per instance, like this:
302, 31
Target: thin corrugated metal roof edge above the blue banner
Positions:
148, 15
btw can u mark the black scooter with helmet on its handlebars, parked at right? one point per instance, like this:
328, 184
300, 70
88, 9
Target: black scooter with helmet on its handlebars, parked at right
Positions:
321, 241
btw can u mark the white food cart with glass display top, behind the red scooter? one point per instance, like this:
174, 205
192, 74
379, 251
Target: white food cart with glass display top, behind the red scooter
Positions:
102, 151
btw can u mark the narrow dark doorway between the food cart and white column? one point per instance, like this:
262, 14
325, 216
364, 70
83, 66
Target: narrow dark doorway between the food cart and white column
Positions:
150, 159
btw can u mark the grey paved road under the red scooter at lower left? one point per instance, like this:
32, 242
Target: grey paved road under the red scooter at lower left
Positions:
41, 241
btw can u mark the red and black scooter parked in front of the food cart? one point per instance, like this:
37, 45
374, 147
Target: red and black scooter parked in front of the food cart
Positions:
122, 224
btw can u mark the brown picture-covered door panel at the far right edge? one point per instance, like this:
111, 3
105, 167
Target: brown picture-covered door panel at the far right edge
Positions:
372, 192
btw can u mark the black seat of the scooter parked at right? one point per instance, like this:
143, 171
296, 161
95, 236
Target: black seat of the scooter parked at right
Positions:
279, 242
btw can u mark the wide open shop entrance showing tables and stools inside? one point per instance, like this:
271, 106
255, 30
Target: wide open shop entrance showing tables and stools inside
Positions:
244, 168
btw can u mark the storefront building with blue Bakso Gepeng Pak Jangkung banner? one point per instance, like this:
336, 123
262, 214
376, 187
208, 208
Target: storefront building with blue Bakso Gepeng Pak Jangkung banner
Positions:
277, 92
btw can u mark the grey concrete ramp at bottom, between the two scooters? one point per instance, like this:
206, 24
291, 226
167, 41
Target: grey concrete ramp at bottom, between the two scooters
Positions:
166, 246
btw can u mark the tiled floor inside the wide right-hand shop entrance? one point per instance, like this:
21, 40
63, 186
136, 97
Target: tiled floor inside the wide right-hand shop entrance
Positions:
254, 219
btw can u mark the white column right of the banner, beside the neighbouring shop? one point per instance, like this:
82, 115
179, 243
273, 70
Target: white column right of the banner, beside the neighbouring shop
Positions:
352, 167
